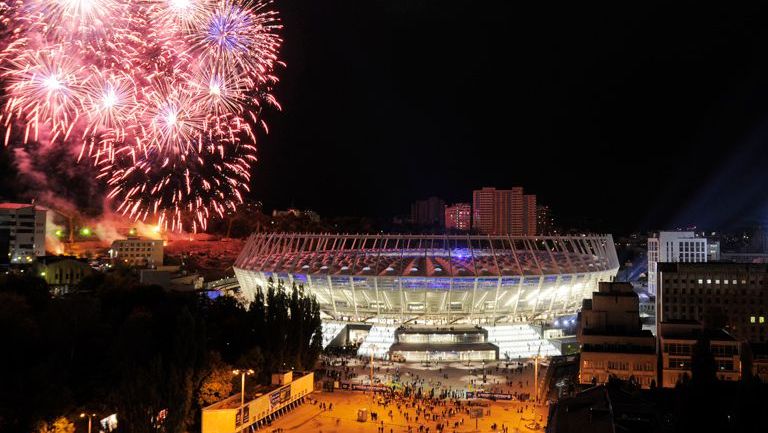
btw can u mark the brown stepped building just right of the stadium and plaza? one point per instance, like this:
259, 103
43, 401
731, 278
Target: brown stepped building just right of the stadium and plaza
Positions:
612, 339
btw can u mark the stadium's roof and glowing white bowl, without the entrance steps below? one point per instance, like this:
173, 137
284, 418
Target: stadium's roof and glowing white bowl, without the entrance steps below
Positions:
431, 278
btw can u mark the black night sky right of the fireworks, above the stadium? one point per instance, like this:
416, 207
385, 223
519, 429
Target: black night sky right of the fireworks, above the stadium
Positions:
629, 115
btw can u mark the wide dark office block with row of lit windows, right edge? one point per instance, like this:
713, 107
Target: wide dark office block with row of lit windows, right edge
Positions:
733, 296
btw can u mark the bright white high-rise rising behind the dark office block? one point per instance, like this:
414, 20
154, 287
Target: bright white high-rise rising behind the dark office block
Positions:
684, 247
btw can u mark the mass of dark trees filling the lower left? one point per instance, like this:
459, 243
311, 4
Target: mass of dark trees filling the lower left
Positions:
117, 347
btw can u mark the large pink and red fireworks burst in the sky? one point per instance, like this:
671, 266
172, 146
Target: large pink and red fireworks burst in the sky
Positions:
162, 96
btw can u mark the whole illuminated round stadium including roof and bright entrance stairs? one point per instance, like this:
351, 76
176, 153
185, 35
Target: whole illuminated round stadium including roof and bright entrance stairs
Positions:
435, 294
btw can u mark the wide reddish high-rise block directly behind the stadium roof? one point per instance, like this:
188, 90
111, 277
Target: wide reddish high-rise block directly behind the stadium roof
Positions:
504, 212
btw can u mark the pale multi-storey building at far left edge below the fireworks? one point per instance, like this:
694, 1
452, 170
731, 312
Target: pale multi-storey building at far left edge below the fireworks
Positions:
26, 230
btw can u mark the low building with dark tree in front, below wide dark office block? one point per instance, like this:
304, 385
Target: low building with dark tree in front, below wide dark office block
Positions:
677, 340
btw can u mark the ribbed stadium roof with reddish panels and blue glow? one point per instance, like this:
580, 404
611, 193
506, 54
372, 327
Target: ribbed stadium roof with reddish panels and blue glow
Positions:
427, 255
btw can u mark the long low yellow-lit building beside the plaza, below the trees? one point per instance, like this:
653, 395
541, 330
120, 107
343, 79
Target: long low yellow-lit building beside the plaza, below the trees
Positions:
230, 416
